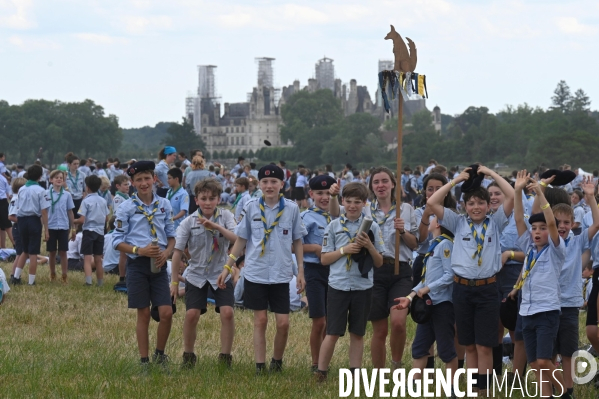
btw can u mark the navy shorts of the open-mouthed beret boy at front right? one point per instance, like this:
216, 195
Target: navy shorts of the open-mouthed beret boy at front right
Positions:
540, 332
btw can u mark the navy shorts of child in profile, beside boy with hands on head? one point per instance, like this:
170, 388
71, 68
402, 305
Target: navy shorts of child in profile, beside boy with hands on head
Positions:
439, 328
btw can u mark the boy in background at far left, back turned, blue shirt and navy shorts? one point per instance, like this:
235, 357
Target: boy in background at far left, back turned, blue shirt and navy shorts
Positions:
32, 216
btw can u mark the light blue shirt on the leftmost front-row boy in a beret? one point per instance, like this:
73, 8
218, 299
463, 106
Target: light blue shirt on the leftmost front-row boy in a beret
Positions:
133, 228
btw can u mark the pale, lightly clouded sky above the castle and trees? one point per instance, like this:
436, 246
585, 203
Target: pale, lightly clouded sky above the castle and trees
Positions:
139, 58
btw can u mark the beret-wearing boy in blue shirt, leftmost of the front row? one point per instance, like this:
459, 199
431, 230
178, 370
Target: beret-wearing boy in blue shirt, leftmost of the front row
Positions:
144, 217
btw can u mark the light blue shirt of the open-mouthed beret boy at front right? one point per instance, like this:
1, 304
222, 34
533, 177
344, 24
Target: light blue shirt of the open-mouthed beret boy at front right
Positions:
541, 290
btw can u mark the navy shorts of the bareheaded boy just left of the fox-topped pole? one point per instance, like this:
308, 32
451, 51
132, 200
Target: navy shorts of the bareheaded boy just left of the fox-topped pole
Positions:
347, 310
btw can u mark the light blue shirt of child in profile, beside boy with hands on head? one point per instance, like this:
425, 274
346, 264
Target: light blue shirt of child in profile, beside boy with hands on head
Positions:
439, 274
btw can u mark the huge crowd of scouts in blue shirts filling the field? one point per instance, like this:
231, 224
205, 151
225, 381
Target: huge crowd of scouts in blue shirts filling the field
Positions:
478, 253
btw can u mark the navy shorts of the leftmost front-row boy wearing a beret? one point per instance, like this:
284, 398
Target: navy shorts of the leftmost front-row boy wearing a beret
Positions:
145, 288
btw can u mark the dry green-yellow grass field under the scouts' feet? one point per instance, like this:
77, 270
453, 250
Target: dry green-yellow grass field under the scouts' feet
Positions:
71, 341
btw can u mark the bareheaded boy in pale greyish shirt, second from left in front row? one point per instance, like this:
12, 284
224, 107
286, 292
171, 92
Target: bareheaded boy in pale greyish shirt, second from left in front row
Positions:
207, 233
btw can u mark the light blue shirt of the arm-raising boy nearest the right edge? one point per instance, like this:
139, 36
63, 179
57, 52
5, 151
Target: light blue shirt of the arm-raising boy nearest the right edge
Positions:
569, 278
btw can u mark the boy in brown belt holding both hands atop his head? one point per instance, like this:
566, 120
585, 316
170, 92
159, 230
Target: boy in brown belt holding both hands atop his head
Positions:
476, 260
